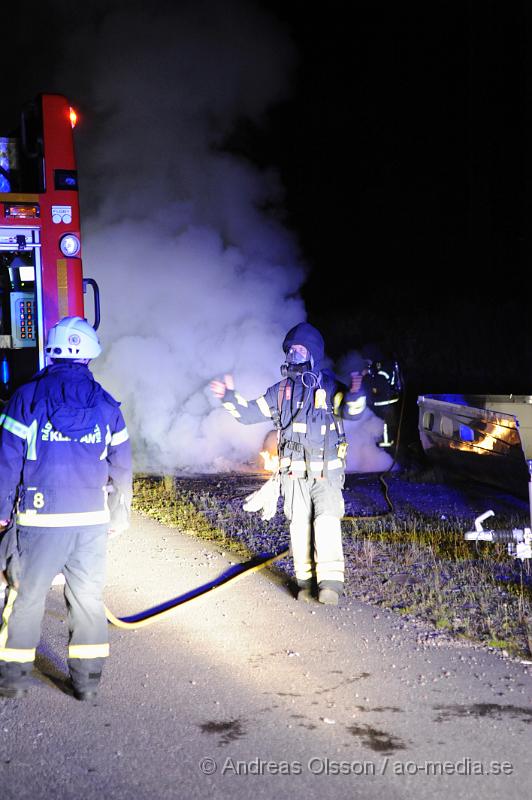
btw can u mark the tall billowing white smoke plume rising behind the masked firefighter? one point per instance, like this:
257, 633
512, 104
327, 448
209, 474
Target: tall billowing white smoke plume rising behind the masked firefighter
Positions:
197, 276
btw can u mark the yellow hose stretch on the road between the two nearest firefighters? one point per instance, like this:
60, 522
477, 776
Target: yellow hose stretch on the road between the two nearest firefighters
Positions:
166, 609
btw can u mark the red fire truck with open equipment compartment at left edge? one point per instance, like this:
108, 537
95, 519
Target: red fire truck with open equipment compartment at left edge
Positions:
41, 278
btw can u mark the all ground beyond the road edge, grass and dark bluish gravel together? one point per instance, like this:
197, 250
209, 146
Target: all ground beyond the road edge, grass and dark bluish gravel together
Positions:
403, 543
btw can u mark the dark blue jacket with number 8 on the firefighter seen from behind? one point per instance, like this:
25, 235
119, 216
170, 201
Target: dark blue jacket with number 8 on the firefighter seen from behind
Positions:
63, 441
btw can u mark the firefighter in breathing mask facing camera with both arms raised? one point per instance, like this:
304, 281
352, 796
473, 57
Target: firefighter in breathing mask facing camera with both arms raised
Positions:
307, 408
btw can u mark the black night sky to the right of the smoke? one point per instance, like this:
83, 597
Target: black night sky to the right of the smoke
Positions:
402, 152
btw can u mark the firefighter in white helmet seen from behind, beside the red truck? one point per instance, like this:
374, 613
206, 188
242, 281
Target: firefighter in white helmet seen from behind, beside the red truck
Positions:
65, 478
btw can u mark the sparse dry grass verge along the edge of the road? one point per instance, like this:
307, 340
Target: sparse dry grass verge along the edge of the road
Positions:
418, 565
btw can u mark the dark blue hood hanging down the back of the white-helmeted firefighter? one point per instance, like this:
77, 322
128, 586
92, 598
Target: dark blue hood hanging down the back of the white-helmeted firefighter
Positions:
72, 398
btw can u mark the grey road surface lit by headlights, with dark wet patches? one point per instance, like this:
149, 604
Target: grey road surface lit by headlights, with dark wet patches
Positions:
245, 692
